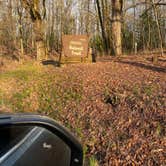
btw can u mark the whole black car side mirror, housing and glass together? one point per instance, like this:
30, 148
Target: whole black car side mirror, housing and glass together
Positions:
33, 140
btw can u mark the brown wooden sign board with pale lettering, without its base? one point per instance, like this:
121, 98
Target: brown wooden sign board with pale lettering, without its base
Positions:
75, 45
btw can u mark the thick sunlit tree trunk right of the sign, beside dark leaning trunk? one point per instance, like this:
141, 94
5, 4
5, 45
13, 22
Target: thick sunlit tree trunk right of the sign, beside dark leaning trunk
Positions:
117, 26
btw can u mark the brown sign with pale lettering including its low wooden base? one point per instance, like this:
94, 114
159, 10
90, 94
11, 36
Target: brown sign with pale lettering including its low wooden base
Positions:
75, 48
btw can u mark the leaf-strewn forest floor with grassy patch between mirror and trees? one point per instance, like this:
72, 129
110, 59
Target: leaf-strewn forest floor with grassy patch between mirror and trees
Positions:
117, 108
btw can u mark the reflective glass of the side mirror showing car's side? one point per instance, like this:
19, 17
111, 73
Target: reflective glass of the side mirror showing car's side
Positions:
32, 146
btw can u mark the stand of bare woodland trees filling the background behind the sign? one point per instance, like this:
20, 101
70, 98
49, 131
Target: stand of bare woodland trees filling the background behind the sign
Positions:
26, 28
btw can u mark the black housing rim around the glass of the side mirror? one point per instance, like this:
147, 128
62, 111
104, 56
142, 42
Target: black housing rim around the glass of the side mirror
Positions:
11, 120
